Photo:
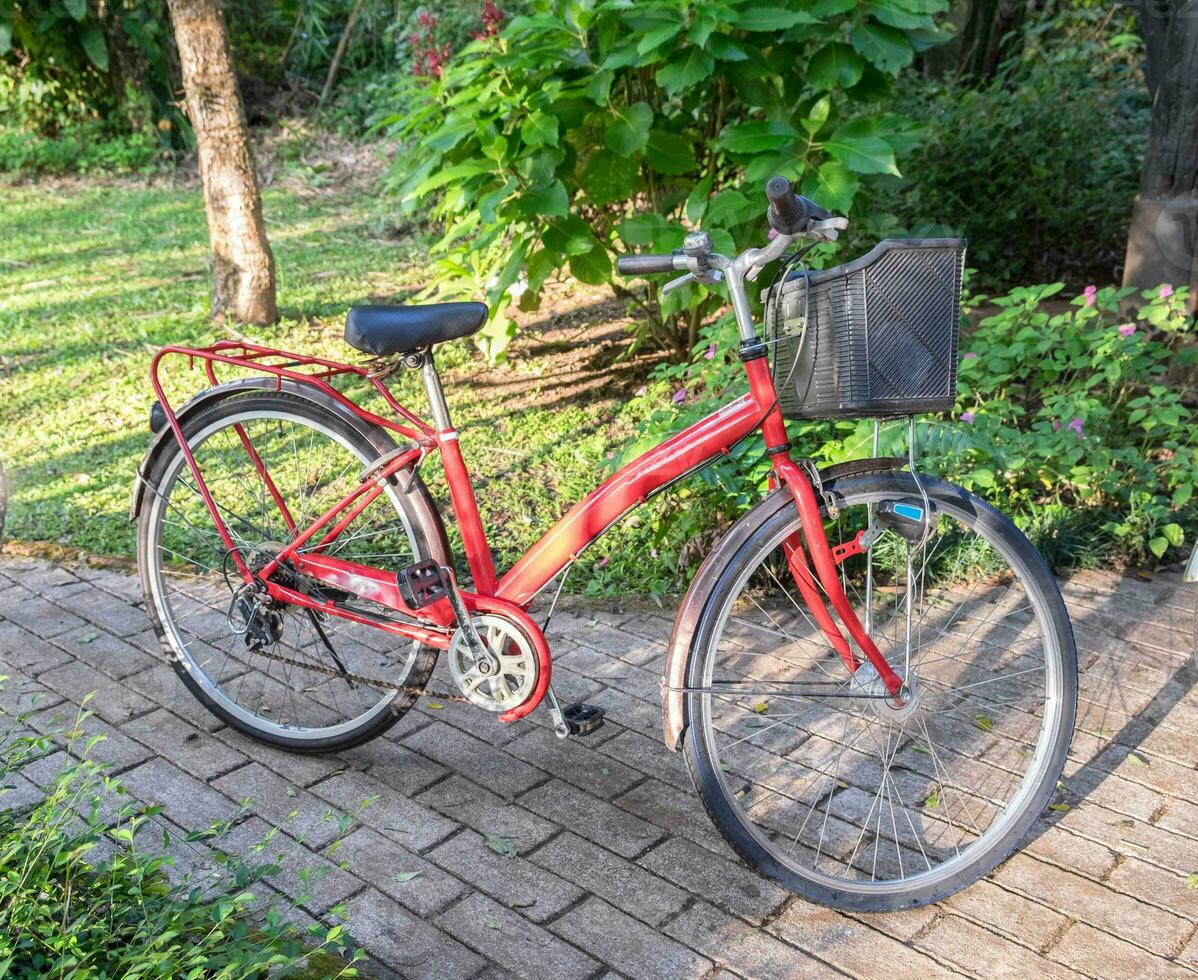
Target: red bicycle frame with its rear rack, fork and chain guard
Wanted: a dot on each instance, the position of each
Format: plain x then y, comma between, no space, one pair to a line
810,559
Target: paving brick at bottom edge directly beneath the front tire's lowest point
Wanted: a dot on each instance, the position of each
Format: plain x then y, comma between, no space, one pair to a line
850,946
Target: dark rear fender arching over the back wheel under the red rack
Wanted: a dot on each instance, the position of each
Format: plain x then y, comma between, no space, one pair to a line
427,512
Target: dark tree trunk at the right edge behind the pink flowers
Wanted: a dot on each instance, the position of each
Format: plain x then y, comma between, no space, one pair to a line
1161,244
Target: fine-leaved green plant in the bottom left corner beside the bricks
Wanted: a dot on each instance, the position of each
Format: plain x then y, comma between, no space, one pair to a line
89,888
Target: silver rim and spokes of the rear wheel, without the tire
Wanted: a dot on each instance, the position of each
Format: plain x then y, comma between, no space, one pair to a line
190,589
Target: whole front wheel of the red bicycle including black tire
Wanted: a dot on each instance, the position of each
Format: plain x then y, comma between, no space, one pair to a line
834,790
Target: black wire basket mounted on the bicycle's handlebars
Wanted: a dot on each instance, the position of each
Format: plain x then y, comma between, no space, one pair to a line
876,337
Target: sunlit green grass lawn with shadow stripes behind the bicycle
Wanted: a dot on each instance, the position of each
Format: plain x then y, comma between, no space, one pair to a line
95,277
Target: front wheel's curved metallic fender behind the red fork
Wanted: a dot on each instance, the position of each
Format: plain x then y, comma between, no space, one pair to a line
674,709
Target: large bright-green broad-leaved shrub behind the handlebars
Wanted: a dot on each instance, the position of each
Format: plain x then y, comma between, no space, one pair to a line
588,130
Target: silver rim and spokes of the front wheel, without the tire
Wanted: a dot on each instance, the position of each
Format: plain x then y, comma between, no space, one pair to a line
821,819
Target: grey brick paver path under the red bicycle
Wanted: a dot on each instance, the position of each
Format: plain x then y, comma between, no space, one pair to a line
619,872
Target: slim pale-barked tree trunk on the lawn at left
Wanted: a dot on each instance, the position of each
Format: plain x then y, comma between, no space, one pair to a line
243,264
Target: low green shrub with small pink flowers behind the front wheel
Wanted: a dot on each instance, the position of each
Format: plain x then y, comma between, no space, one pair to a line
1072,420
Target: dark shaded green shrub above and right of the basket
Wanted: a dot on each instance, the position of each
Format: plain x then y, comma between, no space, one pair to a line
1038,167
